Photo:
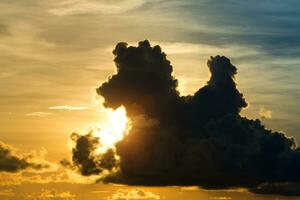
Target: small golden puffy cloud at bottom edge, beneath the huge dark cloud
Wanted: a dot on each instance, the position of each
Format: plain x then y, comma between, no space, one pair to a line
133,194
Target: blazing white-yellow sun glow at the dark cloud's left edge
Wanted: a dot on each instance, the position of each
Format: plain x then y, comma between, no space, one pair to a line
114,130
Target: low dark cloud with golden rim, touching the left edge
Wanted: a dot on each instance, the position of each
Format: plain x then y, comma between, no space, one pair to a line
10,161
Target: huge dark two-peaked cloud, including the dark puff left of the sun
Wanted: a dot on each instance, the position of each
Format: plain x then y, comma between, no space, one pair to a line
199,139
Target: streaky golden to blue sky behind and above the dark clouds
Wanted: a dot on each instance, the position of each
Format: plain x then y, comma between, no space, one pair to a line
55,53
